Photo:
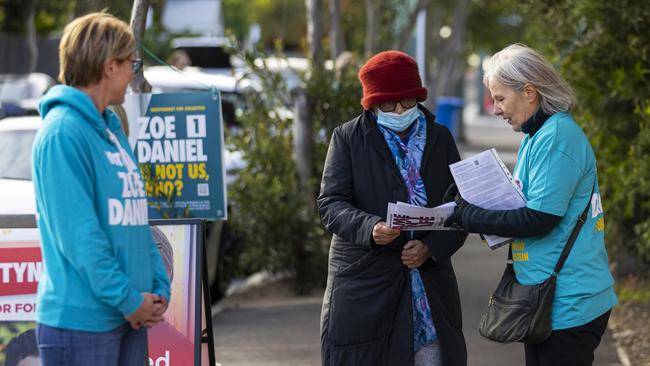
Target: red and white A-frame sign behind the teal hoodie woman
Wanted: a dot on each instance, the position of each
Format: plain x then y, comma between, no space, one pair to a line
174,341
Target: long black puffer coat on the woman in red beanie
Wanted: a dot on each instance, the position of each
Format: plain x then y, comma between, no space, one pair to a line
367,310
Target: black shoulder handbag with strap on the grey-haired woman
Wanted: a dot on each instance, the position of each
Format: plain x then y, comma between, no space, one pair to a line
519,313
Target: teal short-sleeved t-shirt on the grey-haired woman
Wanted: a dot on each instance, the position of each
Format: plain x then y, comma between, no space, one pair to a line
556,170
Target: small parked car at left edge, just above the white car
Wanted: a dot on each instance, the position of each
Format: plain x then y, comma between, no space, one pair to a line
19,93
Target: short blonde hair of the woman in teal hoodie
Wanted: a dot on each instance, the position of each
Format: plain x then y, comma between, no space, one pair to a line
88,42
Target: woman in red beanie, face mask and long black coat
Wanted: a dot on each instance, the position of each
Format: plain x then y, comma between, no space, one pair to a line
391,296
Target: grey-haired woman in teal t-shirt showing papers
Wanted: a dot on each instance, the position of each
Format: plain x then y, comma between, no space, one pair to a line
556,170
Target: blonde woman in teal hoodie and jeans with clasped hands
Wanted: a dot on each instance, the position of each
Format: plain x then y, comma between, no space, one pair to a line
103,281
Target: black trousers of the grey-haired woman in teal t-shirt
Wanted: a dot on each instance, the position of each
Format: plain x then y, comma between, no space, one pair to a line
568,347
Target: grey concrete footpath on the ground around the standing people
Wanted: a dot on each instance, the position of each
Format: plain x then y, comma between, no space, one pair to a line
269,326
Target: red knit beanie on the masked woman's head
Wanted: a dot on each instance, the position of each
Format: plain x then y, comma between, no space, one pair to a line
390,75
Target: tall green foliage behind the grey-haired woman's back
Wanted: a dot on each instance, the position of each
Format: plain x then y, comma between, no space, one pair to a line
603,49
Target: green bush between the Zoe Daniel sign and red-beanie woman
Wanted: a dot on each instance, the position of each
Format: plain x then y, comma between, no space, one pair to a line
276,217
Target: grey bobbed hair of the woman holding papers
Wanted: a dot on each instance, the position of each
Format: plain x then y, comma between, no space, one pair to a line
518,65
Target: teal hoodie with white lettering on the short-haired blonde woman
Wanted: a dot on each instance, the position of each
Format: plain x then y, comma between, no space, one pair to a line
98,251
